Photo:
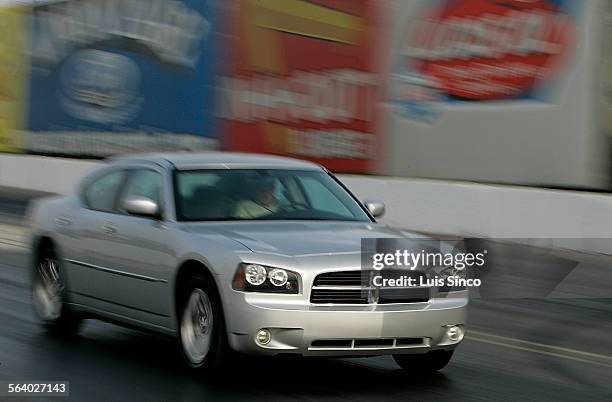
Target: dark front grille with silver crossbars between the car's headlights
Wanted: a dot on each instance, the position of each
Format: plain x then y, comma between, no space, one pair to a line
352,287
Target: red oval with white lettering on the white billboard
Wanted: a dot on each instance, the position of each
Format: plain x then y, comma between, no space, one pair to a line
489,49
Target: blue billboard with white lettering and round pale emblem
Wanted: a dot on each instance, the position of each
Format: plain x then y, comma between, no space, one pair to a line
113,76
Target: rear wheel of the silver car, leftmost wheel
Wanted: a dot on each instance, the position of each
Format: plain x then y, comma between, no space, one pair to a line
49,289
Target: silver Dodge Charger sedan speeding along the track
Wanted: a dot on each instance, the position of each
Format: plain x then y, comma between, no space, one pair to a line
255,254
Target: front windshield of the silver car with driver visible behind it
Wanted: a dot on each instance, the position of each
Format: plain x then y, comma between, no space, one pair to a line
263,194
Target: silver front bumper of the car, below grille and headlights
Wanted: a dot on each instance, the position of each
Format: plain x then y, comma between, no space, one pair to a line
342,330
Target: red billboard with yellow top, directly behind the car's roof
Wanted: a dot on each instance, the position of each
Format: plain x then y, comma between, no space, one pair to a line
302,80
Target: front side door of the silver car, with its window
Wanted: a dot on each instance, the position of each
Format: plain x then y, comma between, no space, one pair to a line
137,251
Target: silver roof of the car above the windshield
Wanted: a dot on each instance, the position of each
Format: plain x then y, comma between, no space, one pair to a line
218,160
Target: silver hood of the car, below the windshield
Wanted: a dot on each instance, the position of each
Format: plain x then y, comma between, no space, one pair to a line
300,238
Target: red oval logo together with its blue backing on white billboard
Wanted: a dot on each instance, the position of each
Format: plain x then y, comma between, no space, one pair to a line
480,50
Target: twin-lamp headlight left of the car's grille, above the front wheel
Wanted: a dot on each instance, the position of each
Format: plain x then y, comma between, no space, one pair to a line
259,278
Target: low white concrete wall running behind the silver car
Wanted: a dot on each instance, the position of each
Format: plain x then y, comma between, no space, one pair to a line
564,219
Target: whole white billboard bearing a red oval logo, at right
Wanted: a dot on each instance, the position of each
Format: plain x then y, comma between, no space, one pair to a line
496,90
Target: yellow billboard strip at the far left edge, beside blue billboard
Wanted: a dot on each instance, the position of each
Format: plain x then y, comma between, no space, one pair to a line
13,76
